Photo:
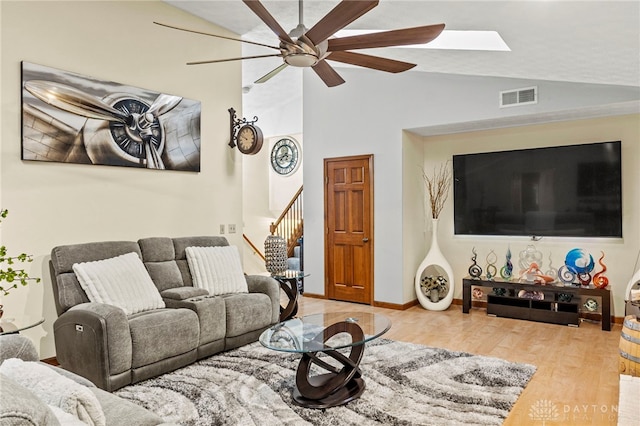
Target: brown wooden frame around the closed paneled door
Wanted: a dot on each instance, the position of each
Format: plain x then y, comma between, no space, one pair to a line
371,244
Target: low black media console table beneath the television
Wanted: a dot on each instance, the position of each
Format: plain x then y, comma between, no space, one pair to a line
552,309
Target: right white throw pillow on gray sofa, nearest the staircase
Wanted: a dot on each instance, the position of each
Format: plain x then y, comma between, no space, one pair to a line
217,269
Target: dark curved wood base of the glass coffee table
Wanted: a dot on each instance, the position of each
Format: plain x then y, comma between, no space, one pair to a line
341,384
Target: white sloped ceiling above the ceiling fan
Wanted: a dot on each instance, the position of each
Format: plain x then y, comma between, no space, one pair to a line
572,41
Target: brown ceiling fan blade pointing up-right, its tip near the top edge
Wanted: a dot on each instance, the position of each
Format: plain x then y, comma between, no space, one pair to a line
342,15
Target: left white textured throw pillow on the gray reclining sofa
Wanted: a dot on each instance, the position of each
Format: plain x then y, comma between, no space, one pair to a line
122,281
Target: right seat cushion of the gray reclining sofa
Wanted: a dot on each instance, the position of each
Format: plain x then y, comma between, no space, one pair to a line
247,312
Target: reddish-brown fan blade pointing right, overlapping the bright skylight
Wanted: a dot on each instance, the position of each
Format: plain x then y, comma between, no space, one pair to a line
407,36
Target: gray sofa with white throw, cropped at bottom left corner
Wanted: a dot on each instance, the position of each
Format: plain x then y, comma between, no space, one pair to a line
21,406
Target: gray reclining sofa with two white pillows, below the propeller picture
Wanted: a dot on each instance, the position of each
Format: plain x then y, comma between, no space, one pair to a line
112,349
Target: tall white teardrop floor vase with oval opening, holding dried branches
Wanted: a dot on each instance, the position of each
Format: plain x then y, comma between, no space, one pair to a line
436,265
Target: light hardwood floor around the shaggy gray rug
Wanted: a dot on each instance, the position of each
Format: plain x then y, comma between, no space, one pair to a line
577,368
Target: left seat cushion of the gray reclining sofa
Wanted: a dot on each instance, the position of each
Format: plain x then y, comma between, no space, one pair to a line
161,334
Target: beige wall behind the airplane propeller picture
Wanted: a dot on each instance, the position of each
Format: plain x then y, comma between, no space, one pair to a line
53,203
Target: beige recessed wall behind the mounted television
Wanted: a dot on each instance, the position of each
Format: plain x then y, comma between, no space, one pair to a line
621,254
